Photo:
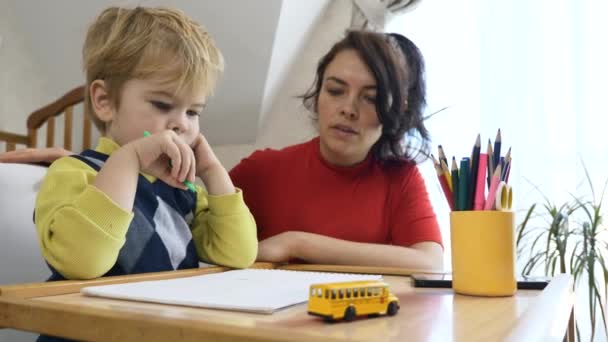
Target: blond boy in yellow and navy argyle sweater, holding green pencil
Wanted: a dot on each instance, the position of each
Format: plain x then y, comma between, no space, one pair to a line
123,208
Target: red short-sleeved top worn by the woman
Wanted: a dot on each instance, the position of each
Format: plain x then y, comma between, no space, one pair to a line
295,189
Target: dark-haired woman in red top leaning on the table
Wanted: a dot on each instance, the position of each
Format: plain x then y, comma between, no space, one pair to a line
352,195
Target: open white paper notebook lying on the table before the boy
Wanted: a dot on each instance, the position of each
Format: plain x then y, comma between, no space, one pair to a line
251,290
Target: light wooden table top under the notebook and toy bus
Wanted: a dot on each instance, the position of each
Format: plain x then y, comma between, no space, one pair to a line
426,314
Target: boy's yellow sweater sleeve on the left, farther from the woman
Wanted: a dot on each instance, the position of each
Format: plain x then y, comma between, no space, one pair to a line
80,229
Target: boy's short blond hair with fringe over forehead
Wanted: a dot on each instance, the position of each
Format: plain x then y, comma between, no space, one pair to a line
142,43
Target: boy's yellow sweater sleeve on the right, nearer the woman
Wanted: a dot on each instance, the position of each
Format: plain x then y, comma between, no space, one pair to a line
224,230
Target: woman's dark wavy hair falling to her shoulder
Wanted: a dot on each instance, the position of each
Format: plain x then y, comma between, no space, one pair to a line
398,67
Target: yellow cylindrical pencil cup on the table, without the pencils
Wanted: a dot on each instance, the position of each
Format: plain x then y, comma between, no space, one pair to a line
483,252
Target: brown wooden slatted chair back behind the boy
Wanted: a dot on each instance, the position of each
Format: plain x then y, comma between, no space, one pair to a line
47,114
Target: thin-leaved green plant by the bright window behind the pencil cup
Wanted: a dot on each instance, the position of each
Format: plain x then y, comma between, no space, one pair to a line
569,238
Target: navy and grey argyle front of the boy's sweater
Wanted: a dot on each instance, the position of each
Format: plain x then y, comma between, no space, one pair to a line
159,237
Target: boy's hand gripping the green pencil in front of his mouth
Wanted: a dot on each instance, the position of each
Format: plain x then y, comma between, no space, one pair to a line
164,155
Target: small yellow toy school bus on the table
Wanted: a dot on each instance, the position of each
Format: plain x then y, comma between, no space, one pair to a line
346,300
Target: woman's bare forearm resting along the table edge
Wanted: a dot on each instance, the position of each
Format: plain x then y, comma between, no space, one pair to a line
320,249
